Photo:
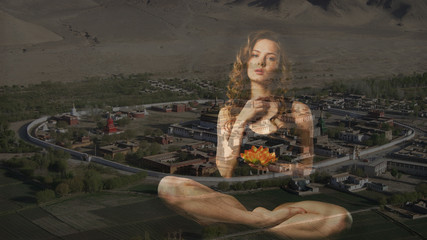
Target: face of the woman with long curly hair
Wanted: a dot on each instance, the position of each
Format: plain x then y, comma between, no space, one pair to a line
263,65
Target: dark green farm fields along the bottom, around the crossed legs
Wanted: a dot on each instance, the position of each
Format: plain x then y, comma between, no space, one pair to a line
137,213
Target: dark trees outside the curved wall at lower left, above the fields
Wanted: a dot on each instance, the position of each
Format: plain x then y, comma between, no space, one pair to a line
51,170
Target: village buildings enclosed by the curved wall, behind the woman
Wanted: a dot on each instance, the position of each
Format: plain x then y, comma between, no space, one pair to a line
189,147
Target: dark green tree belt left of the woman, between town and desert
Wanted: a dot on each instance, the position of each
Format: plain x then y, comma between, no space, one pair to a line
48,98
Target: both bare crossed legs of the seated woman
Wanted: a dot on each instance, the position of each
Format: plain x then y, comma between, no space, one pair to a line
305,219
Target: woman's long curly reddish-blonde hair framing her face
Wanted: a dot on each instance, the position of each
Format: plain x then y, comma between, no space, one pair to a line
238,89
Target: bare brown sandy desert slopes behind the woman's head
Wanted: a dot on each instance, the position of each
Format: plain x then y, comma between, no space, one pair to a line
62,40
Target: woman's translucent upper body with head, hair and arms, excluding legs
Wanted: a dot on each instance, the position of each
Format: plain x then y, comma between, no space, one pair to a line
257,79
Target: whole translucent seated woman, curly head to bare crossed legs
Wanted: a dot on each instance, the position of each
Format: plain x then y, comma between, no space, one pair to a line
258,73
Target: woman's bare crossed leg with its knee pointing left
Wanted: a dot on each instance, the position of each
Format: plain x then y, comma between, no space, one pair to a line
204,205
